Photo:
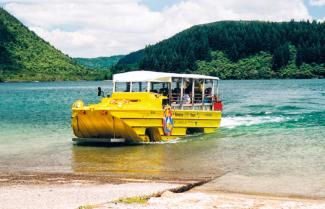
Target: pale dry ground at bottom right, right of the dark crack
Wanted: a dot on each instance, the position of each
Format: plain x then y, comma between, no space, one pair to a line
219,200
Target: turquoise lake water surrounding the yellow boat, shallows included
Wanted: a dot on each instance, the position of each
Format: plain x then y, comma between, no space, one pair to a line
272,137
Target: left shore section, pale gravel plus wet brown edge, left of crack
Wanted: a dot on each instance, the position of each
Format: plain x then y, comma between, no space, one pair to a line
66,190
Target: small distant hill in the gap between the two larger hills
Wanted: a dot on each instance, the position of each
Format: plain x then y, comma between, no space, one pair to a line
99,62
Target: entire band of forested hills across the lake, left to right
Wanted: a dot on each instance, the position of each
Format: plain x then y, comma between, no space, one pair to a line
228,49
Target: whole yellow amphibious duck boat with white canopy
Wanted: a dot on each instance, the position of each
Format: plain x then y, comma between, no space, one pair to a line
148,106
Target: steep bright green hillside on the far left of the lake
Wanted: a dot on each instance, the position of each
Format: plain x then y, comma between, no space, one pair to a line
26,57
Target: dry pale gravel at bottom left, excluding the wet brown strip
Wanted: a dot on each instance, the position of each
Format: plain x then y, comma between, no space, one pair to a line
73,195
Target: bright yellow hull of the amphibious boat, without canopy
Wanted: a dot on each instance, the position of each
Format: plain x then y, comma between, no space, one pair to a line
137,123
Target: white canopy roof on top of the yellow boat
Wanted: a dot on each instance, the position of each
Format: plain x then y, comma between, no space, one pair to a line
151,76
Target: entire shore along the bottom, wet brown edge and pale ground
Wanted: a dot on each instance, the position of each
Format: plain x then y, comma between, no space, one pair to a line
53,190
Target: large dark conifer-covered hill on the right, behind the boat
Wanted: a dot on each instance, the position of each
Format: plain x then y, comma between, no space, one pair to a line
238,50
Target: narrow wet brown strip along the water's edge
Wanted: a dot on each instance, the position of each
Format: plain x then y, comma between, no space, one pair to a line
206,184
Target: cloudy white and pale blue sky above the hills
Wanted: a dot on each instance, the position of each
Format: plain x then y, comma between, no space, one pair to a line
93,28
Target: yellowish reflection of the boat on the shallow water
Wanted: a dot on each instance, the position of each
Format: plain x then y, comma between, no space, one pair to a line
170,160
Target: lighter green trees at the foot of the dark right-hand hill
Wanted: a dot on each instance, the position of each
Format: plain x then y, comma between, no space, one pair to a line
258,67
